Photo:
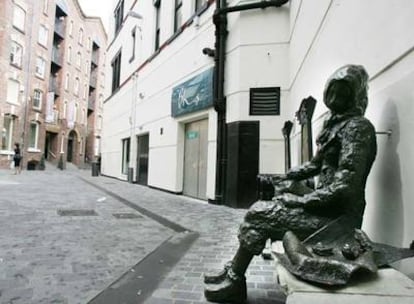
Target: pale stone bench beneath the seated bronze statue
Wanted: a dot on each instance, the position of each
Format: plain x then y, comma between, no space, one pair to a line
388,286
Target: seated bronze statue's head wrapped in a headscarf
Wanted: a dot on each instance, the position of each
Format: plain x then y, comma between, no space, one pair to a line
347,90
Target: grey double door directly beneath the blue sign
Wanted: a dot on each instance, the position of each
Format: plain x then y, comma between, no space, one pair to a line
195,159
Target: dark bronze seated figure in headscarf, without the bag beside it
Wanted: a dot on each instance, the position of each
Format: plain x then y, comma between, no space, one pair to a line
346,151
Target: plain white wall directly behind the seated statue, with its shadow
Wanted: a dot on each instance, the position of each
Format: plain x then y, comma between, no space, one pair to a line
378,34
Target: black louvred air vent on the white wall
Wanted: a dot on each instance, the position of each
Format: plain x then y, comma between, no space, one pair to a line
265,101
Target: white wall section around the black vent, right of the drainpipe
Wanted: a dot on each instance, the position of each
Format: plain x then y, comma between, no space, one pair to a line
259,60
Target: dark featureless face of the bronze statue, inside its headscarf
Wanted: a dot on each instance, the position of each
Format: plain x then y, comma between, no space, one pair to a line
339,96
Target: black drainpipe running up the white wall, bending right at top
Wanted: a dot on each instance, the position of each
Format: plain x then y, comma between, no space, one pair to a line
221,33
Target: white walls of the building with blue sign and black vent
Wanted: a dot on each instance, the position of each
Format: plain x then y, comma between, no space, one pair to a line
177,62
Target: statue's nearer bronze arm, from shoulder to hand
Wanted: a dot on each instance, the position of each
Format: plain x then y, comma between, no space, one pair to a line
358,148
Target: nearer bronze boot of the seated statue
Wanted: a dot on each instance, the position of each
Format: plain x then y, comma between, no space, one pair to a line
230,290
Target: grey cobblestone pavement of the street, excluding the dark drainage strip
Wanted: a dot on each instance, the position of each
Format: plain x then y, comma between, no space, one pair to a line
47,256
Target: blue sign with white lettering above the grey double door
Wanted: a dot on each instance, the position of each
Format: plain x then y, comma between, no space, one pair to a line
193,95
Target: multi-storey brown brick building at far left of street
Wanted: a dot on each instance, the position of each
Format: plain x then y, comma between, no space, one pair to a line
51,63
